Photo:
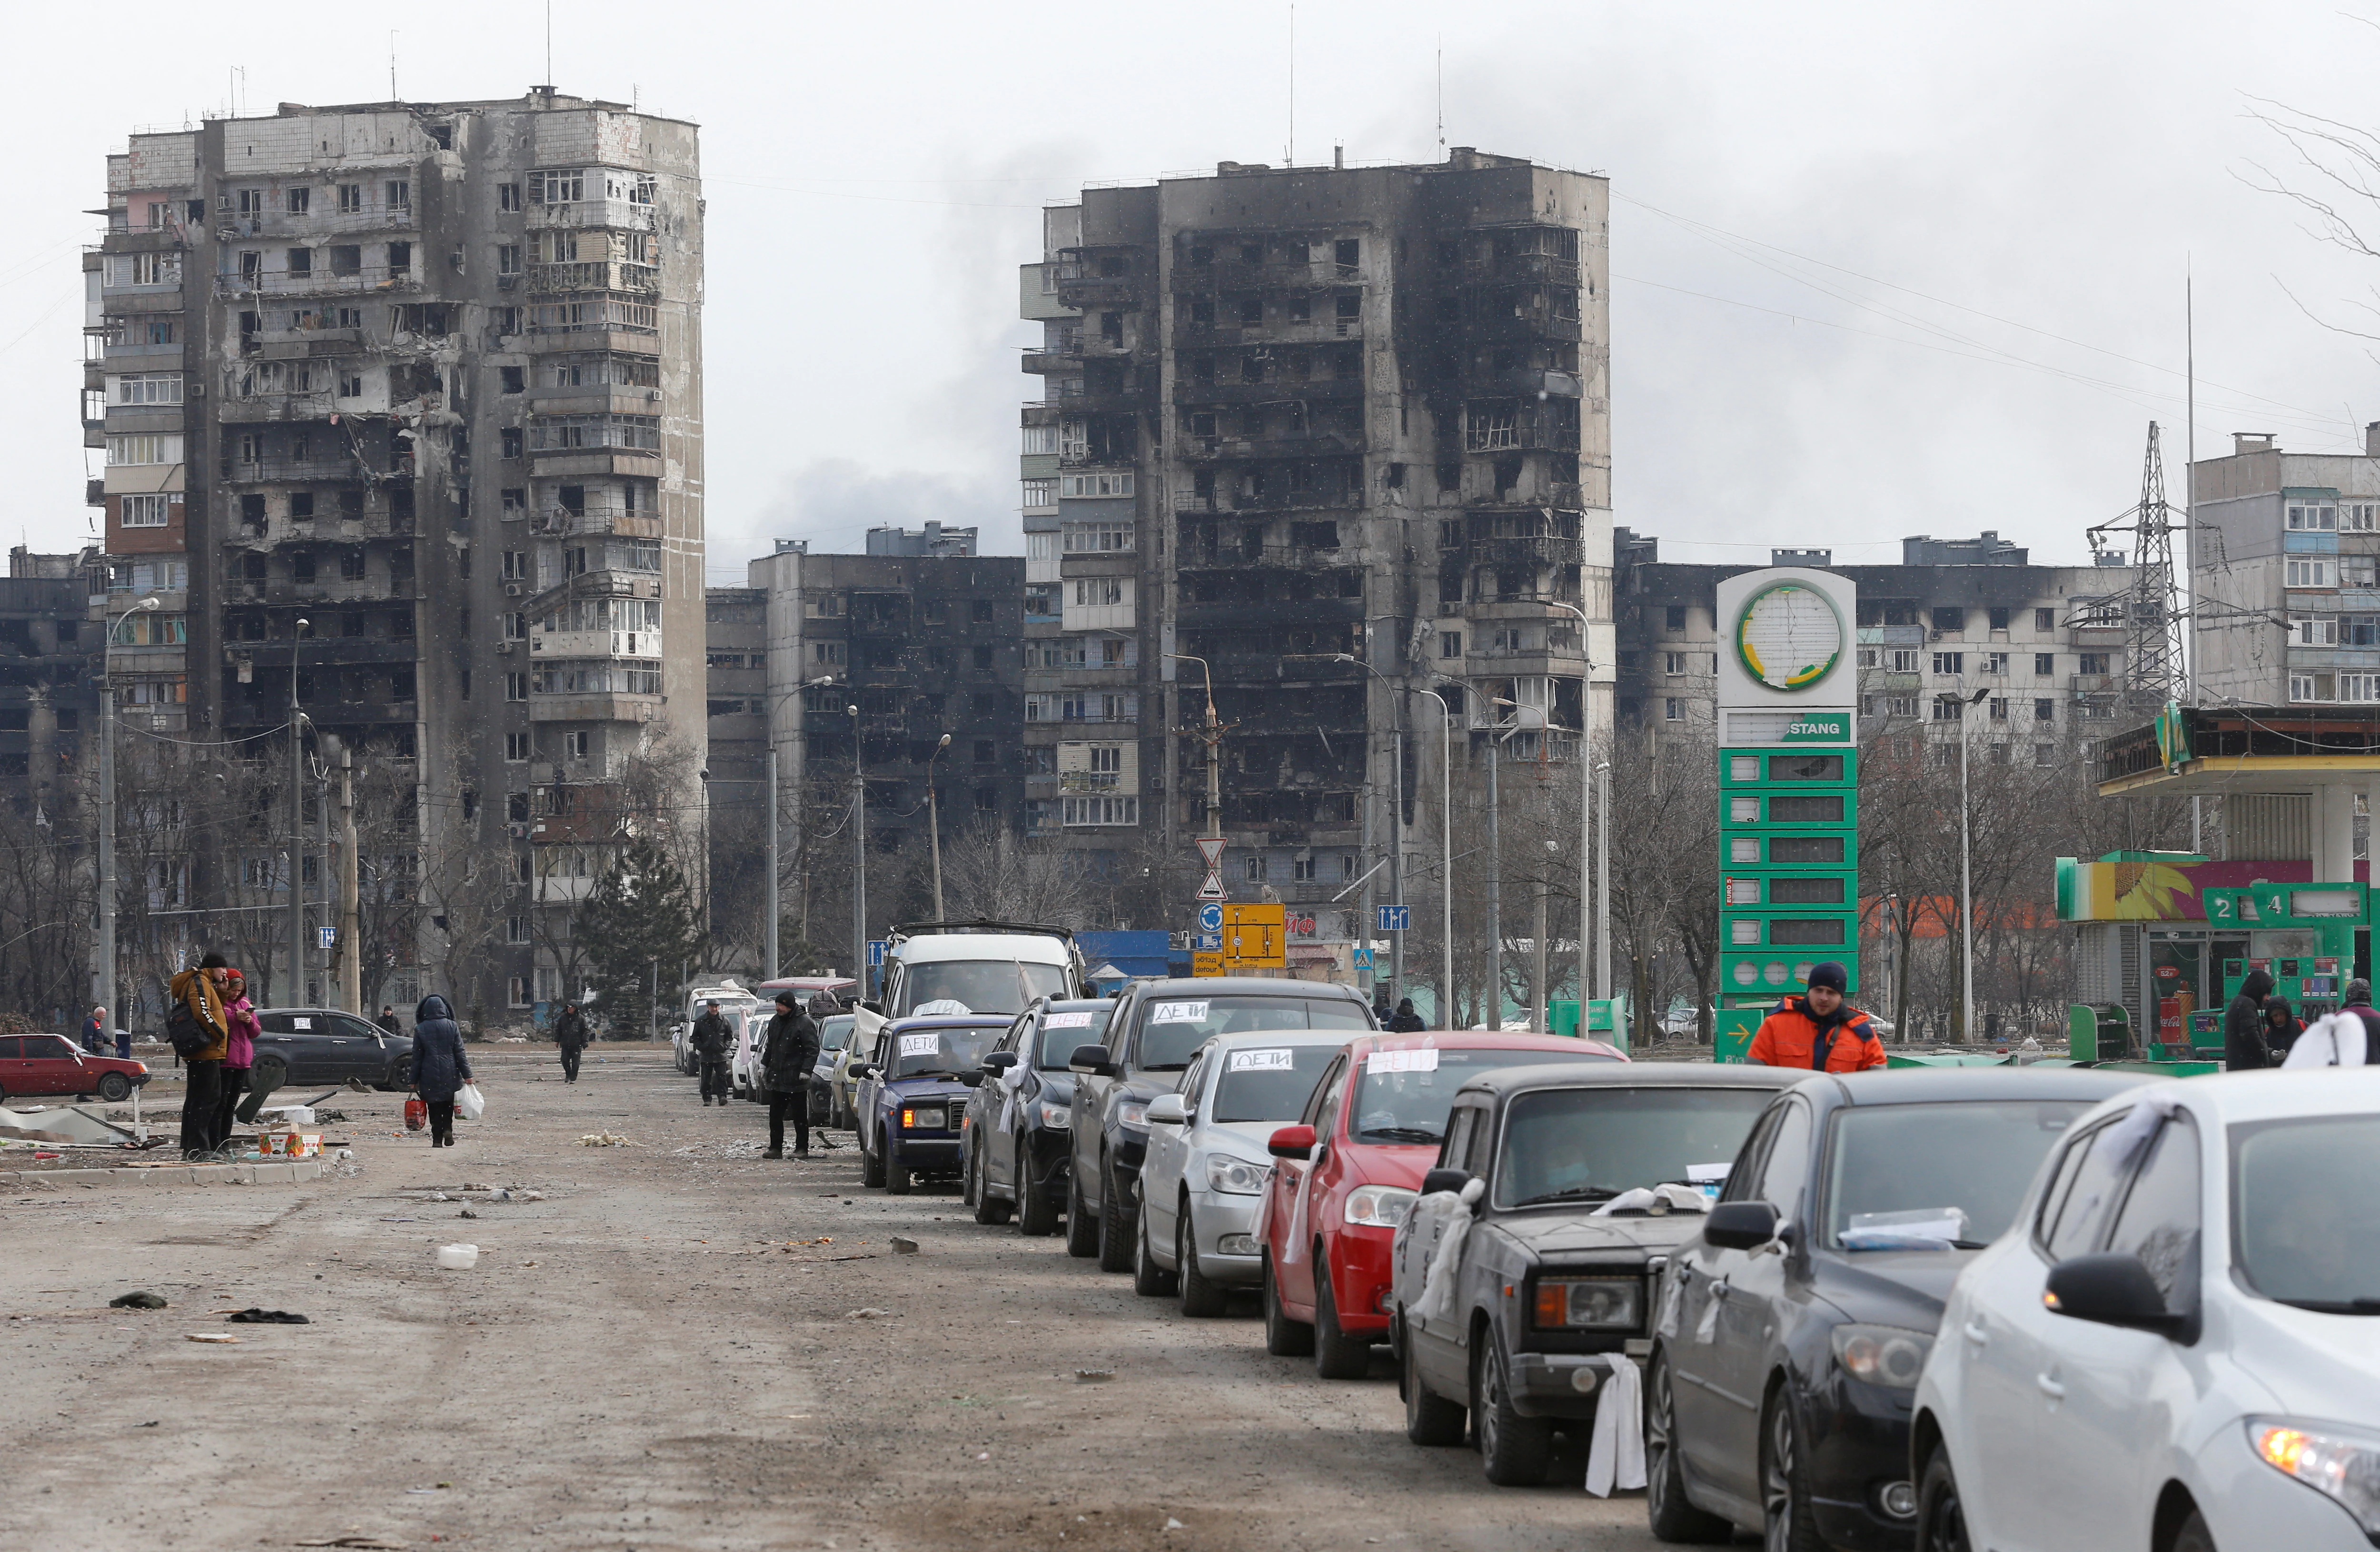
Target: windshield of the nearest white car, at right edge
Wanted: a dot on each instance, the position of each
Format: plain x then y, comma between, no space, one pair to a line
2298,1241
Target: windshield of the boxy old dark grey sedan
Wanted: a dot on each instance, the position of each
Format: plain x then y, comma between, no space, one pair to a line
1593,1144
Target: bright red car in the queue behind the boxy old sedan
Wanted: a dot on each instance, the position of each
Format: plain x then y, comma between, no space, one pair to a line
1348,1175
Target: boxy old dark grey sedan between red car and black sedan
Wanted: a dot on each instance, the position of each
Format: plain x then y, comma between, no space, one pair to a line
1546,1296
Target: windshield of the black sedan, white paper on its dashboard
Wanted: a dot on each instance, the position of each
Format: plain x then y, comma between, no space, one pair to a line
1936,1177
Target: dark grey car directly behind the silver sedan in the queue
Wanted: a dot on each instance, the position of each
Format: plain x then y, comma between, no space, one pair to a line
1148,1044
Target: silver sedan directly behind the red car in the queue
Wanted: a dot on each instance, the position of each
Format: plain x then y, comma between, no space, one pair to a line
1203,1179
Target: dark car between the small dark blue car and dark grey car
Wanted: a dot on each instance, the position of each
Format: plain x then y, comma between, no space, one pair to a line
1015,1137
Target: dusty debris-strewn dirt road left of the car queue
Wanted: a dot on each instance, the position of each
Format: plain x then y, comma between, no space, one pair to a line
663,1353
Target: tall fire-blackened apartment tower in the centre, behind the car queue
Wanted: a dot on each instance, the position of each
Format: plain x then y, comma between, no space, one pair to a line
1329,437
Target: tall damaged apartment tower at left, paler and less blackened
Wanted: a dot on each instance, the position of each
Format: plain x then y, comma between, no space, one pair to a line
406,399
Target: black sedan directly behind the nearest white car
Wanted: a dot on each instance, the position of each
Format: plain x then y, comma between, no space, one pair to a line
1796,1325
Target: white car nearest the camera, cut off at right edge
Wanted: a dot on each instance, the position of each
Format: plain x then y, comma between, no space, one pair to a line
2177,1346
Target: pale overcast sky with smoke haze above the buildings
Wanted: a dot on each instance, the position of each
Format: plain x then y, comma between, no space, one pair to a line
1879,270
